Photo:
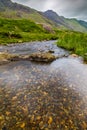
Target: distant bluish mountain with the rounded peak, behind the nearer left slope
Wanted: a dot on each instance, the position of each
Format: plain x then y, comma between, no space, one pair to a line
72,24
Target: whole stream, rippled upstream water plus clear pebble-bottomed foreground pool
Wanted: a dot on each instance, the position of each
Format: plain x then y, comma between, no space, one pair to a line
40,96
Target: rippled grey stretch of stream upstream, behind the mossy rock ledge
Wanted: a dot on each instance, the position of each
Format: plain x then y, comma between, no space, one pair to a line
28,48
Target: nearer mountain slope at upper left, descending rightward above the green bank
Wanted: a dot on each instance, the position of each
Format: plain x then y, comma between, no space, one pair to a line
8,9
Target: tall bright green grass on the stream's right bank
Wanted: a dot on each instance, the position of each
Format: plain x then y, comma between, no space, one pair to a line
75,42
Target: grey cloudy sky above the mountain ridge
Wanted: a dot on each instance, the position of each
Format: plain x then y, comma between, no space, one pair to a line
67,8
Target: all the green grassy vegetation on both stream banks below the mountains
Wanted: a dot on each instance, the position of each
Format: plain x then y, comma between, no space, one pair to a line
17,31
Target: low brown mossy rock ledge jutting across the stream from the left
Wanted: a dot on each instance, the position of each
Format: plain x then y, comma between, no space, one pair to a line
40,57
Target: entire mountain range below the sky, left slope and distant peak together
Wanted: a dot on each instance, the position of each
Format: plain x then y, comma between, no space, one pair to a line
11,10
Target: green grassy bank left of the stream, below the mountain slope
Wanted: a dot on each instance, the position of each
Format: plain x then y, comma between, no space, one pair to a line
12,31
